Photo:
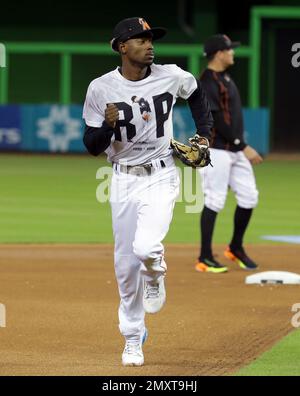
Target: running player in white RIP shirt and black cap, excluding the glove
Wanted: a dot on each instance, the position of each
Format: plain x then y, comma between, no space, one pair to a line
145,182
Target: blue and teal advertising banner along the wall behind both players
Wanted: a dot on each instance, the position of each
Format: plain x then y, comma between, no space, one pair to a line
59,129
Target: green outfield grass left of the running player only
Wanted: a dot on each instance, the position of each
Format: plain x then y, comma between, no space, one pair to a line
51,199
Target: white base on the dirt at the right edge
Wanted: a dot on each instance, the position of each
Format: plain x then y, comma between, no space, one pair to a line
273,277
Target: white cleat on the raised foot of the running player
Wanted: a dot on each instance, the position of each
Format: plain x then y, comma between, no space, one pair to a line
154,295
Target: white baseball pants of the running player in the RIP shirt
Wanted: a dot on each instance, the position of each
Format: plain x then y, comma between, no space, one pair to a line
142,209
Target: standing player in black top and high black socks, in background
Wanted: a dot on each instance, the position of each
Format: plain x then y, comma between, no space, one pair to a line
231,158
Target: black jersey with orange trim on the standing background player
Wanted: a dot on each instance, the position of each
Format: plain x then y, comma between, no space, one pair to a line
226,108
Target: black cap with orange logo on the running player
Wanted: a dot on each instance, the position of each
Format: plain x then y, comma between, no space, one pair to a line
132,28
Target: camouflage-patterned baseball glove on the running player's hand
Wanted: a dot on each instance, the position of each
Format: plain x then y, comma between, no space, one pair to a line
196,155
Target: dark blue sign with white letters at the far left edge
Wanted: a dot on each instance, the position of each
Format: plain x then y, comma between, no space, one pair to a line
10,128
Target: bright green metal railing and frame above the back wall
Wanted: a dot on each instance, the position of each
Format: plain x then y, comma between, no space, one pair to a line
191,52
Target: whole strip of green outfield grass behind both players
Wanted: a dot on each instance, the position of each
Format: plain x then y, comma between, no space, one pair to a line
53,199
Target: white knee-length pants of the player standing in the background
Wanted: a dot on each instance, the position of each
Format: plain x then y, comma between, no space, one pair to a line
229,170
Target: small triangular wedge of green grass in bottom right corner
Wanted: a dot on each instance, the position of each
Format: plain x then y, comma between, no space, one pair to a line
281,360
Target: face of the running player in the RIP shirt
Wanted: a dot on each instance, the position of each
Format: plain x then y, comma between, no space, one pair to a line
140,50
